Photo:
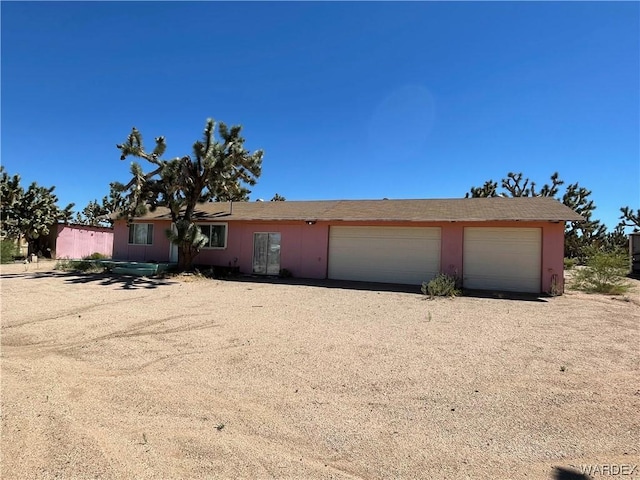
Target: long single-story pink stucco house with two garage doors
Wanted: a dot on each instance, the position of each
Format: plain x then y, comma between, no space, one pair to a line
511,244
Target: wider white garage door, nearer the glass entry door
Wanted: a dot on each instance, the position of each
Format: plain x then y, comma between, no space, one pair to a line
409,255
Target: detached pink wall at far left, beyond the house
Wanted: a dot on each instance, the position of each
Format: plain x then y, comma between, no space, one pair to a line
78,241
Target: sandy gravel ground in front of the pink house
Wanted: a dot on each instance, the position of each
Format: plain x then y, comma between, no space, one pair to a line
109,377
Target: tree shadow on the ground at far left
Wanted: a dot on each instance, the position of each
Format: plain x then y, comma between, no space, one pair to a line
125,282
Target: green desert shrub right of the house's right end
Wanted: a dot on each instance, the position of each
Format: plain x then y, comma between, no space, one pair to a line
604,272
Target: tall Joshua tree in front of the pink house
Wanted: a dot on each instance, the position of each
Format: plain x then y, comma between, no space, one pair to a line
217,171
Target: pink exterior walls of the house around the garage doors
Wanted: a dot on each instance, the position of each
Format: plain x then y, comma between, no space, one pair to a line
304,248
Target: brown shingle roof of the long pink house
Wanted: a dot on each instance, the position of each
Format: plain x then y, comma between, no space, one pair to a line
447,210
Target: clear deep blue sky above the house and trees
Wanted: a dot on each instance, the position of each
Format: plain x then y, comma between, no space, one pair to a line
348,100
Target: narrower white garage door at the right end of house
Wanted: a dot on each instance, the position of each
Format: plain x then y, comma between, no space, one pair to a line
502,259
